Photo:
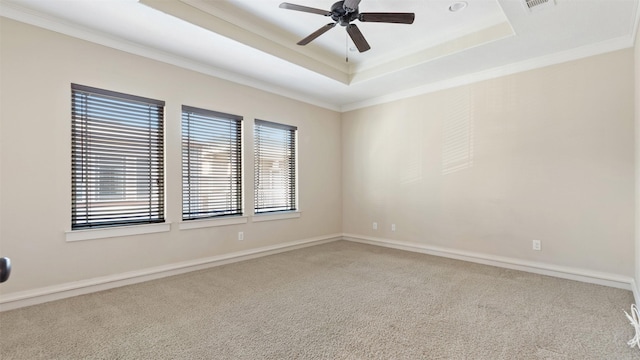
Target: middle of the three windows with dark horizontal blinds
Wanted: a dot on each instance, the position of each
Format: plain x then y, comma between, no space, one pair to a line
211,164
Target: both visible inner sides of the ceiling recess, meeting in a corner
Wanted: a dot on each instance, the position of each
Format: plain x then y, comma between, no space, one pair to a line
267,39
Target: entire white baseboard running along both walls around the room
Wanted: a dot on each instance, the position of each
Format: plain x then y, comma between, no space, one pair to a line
56,292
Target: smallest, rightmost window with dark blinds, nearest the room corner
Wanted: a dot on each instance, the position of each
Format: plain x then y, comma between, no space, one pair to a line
275,167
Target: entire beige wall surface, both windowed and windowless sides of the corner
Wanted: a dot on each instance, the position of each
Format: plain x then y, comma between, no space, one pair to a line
546,154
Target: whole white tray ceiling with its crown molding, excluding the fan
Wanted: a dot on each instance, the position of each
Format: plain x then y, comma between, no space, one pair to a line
253,41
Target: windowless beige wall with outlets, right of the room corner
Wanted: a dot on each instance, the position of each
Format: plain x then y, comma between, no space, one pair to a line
547,154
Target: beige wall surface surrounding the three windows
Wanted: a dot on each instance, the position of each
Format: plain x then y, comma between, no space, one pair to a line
37,67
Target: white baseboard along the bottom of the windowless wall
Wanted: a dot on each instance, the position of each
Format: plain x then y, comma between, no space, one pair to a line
583,275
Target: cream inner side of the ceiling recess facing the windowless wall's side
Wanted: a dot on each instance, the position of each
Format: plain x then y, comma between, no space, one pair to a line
484,36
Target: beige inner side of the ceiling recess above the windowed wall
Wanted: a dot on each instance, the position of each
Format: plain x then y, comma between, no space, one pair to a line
206,20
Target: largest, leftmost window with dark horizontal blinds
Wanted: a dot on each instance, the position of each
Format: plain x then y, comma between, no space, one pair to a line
117,159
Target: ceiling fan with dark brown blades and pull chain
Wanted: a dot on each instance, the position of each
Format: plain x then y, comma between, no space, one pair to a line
343,13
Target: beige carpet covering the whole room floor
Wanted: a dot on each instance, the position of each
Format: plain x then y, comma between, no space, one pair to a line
335,301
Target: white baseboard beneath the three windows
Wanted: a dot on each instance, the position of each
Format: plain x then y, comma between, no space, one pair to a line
56,292
